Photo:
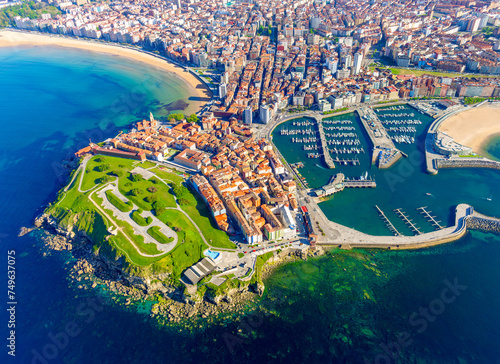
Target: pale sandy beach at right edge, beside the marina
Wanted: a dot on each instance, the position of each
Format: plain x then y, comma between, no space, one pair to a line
474,128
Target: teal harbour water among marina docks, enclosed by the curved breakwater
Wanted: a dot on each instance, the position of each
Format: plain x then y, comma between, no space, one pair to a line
348,205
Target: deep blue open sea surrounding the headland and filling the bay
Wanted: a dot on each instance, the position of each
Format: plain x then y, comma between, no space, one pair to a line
438,305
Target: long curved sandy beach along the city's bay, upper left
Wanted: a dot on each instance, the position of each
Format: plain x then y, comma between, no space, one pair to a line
196,88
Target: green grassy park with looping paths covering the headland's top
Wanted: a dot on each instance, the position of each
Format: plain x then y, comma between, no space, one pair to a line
115,238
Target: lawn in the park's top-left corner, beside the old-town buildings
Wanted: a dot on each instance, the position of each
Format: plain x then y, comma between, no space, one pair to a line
92,175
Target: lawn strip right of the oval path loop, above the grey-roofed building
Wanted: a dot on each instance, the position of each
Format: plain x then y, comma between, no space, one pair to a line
190,246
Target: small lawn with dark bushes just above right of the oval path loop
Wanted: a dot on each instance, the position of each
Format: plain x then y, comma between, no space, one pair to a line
125,185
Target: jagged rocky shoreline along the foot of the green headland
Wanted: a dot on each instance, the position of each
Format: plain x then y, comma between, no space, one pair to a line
173,305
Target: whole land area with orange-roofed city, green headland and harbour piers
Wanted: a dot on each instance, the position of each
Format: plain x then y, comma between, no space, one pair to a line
194,207
